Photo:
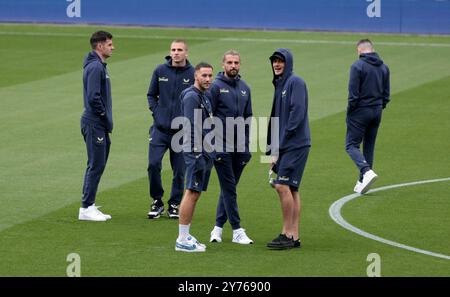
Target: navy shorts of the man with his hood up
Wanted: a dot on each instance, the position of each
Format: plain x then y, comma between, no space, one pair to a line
290,167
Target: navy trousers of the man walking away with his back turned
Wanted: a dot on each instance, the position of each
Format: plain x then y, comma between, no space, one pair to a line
362,127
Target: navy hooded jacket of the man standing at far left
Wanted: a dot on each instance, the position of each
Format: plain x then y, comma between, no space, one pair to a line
96,93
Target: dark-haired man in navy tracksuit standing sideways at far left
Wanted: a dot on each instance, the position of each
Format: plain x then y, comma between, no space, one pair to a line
96,121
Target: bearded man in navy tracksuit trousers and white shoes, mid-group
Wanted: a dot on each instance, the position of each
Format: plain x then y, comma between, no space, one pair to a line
231,99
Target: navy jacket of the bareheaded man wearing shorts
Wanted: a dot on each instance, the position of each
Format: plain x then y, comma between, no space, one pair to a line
196,108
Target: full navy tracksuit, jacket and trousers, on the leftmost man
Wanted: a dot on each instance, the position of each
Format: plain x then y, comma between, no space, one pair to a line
96,123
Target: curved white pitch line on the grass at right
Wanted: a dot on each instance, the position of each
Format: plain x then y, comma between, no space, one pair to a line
335,214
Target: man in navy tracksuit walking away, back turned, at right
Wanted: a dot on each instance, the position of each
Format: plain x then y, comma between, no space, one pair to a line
369,90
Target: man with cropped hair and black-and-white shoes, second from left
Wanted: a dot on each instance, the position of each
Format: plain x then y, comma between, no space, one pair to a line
167,83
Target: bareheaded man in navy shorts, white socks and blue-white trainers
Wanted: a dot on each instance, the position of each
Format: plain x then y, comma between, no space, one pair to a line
198,156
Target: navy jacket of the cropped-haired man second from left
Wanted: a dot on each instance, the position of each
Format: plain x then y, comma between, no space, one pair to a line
163,95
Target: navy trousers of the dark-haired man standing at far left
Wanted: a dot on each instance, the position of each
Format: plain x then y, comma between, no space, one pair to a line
98,144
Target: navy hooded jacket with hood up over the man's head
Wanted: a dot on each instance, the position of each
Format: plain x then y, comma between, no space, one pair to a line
290,105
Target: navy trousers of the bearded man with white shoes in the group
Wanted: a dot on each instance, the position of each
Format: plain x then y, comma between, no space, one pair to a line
229,167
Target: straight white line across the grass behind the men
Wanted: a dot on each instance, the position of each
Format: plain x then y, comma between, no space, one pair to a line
230,39
